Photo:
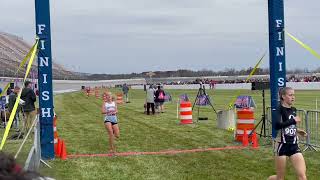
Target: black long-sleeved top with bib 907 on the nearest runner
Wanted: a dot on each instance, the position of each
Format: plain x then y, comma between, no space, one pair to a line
287,125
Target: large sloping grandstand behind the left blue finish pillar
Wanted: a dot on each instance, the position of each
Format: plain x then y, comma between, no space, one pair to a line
12,51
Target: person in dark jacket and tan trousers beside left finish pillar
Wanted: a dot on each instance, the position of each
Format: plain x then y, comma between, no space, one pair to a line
29,98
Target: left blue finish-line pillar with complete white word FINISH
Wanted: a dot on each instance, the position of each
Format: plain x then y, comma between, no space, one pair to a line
42,8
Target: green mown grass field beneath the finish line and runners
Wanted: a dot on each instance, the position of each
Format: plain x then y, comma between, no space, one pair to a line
80,124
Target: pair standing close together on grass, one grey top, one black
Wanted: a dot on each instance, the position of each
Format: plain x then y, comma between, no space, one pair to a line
154,100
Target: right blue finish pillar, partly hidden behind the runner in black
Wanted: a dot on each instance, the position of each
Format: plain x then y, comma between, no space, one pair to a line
277,54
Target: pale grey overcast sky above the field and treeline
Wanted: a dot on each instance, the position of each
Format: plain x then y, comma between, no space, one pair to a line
124,36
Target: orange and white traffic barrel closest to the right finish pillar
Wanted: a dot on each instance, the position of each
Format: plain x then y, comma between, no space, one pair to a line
245,121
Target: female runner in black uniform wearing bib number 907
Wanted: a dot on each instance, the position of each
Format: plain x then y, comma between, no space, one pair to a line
286,143
